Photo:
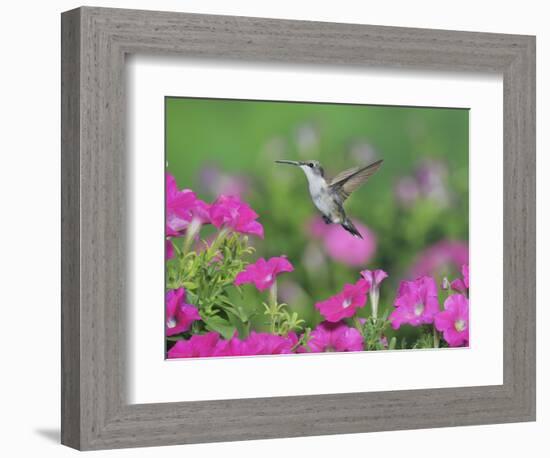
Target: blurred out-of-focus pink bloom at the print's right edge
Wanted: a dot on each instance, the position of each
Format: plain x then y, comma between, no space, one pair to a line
440,257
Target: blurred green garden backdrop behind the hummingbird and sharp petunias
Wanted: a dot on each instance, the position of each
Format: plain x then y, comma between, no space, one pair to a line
415,207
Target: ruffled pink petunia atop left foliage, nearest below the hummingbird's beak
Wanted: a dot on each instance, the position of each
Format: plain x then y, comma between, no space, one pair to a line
231,212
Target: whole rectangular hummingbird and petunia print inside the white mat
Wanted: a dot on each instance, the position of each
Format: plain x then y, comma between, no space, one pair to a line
300,227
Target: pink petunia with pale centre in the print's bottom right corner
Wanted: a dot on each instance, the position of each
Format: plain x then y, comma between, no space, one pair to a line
453,322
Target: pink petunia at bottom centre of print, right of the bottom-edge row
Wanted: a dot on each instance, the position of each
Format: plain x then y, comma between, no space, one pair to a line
335,337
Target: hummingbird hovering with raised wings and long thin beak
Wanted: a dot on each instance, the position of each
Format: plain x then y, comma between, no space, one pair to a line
328,195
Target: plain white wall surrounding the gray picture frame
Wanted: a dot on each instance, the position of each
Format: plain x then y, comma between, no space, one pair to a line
29,232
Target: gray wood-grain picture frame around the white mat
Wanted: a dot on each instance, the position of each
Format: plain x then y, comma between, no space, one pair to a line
95,412
